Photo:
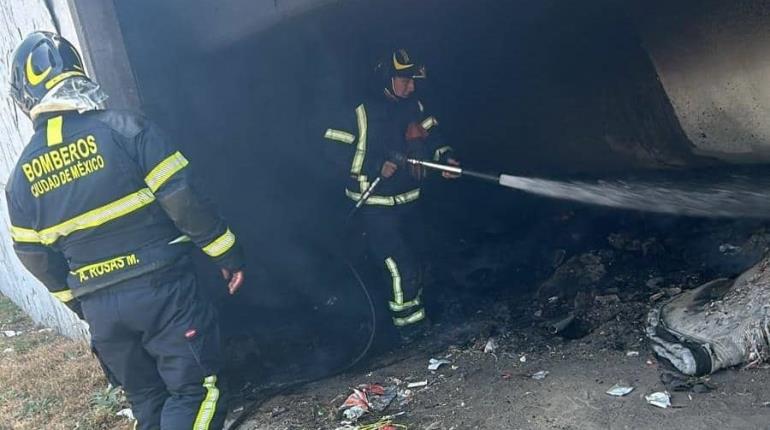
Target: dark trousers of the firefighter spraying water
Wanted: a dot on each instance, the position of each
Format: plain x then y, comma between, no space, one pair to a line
392,235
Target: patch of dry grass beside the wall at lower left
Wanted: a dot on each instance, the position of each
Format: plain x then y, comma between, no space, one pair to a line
50,382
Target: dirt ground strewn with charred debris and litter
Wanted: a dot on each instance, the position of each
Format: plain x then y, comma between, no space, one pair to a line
609,284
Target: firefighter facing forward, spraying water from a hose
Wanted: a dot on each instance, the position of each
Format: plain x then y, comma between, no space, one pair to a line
387,127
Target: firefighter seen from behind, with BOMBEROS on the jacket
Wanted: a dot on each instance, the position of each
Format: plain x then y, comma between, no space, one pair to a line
102,213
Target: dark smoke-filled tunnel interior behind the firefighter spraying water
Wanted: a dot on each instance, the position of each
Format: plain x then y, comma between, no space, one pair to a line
525,87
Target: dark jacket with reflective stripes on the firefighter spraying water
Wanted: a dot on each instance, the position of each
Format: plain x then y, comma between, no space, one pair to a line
376,132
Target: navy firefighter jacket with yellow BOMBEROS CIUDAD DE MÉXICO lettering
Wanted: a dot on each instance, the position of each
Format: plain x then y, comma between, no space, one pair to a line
103,197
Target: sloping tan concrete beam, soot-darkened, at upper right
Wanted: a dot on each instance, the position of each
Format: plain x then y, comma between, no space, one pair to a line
713,58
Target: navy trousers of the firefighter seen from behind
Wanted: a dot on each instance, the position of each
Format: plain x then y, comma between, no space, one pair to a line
160,339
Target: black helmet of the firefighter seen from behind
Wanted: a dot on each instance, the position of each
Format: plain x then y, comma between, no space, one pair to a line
42,60
